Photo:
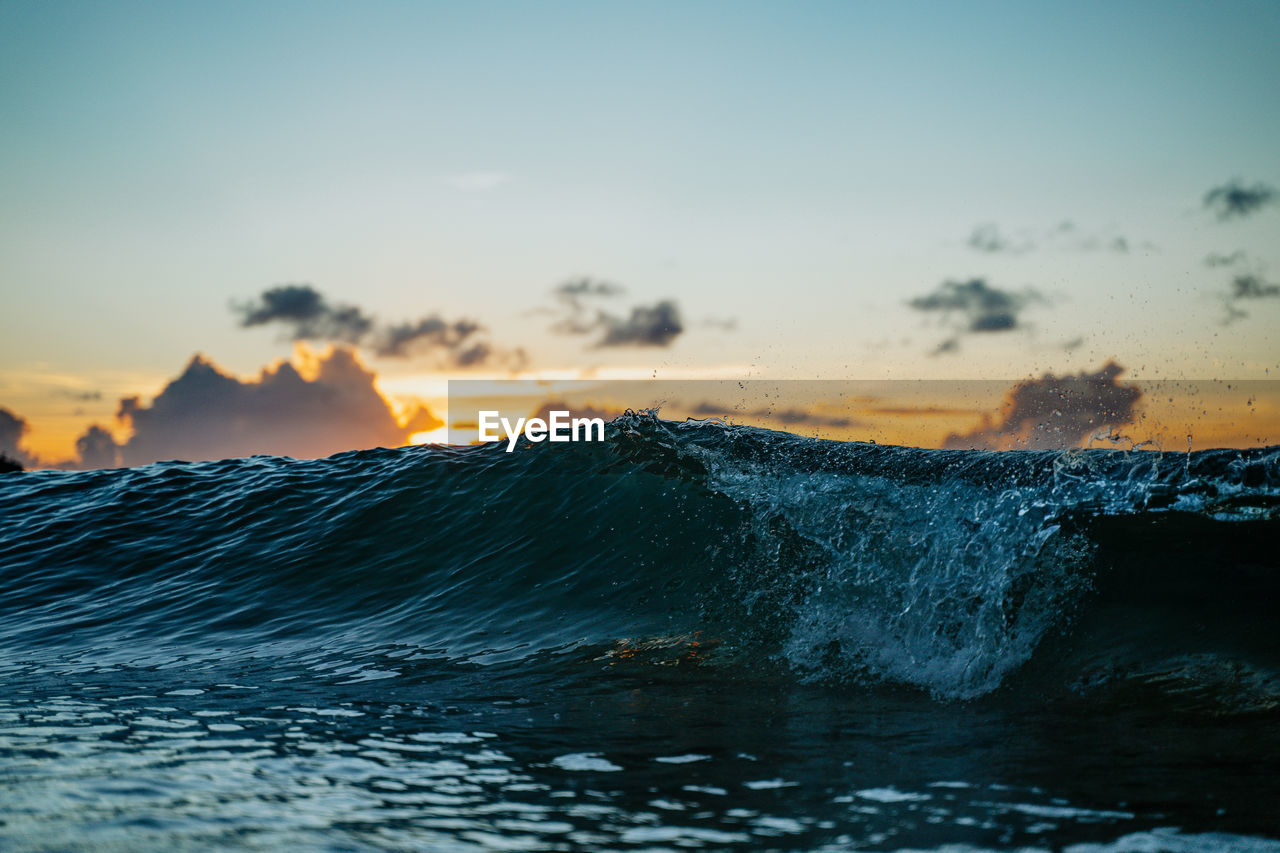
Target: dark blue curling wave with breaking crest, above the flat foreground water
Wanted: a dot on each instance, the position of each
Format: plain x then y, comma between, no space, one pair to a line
863,564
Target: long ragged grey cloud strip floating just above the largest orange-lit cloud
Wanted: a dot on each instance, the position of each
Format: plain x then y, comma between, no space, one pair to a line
310,317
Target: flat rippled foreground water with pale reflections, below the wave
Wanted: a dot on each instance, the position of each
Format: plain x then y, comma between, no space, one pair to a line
286,760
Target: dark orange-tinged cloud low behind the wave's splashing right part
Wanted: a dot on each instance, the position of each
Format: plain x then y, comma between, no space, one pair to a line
1055,413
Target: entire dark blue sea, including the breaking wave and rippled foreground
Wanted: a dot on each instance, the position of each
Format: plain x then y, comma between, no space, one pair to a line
688,637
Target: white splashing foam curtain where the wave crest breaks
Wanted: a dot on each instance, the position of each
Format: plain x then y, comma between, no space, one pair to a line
926,605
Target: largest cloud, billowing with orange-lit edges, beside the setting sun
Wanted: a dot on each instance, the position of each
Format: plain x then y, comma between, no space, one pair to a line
208,414
